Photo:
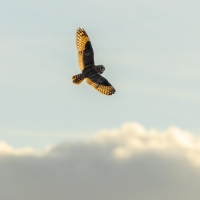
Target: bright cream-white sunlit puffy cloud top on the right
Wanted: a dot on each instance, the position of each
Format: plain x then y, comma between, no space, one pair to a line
132,138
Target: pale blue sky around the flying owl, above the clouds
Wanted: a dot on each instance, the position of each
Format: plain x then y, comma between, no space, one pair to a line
150,50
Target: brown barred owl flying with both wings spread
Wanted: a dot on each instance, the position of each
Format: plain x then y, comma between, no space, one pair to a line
90,72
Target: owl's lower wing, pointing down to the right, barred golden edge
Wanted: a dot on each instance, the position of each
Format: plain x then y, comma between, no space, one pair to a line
101,84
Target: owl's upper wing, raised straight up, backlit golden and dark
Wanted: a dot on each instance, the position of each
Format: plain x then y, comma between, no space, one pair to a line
84,48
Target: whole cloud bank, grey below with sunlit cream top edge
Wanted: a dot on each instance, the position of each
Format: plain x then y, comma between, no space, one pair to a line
126,163
